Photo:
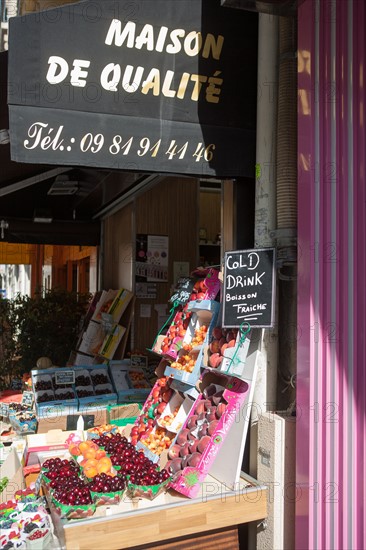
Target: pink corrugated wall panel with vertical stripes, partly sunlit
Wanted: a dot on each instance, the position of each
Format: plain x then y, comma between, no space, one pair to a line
331,442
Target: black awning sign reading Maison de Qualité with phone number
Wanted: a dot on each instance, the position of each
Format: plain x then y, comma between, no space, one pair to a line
161,86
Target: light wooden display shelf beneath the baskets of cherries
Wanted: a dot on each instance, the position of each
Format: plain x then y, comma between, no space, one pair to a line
170,516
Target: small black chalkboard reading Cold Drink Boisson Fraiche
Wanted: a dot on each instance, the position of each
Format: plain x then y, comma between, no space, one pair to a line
249,277
